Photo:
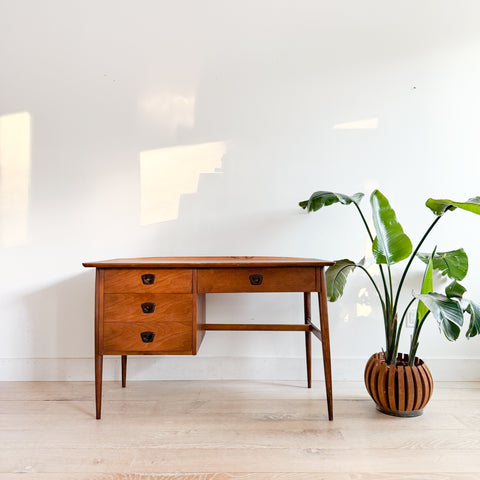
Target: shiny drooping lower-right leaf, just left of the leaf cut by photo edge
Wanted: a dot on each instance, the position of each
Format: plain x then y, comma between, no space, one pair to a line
447,312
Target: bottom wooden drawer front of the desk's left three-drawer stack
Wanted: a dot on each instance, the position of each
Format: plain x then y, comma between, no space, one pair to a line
150,337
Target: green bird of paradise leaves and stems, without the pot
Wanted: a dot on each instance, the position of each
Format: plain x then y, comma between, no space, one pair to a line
390,245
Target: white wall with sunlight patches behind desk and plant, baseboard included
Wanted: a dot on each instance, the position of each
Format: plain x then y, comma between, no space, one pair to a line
159,128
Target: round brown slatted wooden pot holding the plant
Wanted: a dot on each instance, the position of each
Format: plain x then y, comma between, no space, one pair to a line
398,389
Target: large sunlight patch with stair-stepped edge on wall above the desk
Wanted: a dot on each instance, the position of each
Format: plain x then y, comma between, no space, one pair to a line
168,173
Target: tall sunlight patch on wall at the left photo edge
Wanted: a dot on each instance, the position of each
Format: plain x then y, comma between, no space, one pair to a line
15,145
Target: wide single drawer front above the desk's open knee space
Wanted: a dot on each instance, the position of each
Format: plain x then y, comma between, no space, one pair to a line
288,279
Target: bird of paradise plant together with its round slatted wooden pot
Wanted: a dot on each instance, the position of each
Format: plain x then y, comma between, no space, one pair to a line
401,384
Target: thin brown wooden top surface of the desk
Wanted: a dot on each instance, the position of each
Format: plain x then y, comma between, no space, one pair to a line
208,262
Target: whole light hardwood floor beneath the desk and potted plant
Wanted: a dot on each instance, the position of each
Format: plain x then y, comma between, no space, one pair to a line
224,430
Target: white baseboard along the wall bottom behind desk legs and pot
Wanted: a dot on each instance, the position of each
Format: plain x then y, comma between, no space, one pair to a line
213,368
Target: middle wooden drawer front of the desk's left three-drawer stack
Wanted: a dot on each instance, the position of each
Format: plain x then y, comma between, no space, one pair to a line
137,307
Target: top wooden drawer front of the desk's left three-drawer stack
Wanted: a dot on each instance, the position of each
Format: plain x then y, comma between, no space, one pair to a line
142,280
